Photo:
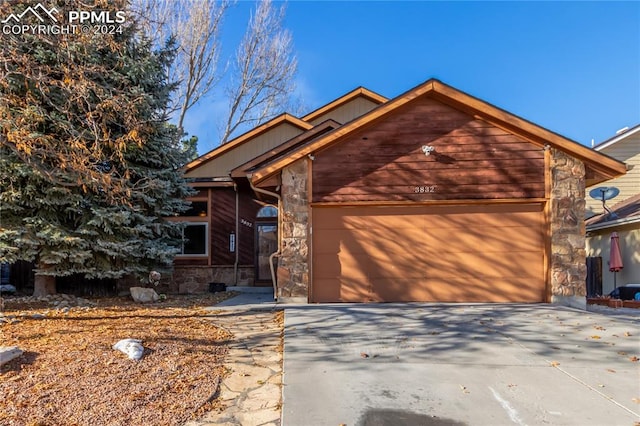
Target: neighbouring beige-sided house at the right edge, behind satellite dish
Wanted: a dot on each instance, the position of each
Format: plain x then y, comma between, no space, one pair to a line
624,218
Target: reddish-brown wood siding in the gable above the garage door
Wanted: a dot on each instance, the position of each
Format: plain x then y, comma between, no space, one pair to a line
385,161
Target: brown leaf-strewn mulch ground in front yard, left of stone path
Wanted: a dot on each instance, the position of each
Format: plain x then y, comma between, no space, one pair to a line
70,375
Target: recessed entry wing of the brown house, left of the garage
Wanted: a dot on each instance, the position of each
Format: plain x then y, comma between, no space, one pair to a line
232,227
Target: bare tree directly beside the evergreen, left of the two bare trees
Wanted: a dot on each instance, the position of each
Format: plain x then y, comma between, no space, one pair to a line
195,25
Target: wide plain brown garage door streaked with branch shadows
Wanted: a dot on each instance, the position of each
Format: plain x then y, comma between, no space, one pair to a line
462,253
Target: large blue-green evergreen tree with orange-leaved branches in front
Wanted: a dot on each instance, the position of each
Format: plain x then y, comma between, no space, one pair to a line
89,167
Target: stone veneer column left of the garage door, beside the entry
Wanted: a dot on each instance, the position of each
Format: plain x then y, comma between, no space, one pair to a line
293,264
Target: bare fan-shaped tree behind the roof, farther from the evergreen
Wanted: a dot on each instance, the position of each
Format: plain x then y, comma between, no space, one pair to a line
263,71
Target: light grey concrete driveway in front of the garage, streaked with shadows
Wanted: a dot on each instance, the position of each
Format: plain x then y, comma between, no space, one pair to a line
435,364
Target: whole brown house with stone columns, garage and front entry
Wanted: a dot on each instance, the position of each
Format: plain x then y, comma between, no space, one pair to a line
431,196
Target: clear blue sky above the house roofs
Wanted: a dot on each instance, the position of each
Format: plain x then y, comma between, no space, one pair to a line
570,67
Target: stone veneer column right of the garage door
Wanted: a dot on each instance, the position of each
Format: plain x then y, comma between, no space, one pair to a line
567,210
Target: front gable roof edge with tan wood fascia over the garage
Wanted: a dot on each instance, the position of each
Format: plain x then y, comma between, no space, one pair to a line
599,166
